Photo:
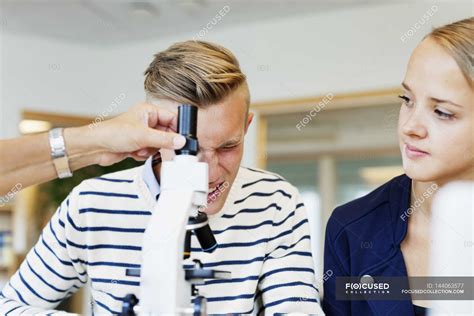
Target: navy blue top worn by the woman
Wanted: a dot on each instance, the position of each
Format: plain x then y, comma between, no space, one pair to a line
363,237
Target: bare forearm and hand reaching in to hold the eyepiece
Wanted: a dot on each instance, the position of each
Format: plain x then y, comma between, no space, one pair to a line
138,133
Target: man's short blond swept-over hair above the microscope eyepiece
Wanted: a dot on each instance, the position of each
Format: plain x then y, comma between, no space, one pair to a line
193,72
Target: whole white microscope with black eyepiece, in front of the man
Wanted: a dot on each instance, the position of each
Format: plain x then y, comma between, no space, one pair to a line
165,287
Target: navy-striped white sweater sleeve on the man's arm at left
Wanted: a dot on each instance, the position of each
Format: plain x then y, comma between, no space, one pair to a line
50,272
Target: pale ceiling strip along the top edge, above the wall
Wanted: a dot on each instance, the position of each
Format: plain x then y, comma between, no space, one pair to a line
111,22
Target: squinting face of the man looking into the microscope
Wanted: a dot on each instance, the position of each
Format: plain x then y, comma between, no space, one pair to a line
221,129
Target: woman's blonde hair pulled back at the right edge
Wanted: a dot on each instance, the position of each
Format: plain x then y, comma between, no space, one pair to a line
458,40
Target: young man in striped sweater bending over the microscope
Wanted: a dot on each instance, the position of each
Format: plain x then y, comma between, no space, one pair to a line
257,217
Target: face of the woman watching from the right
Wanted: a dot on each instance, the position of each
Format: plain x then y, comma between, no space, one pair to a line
436,122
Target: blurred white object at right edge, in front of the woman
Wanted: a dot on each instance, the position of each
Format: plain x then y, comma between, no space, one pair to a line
452,249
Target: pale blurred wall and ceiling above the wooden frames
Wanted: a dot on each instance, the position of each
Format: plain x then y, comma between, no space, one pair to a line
77,56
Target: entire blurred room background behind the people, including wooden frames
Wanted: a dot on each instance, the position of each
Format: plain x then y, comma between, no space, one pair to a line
74,58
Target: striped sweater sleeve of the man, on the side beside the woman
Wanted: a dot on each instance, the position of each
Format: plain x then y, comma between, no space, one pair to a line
287,283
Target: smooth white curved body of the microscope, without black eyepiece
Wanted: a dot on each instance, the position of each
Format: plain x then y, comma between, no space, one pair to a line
163,288
